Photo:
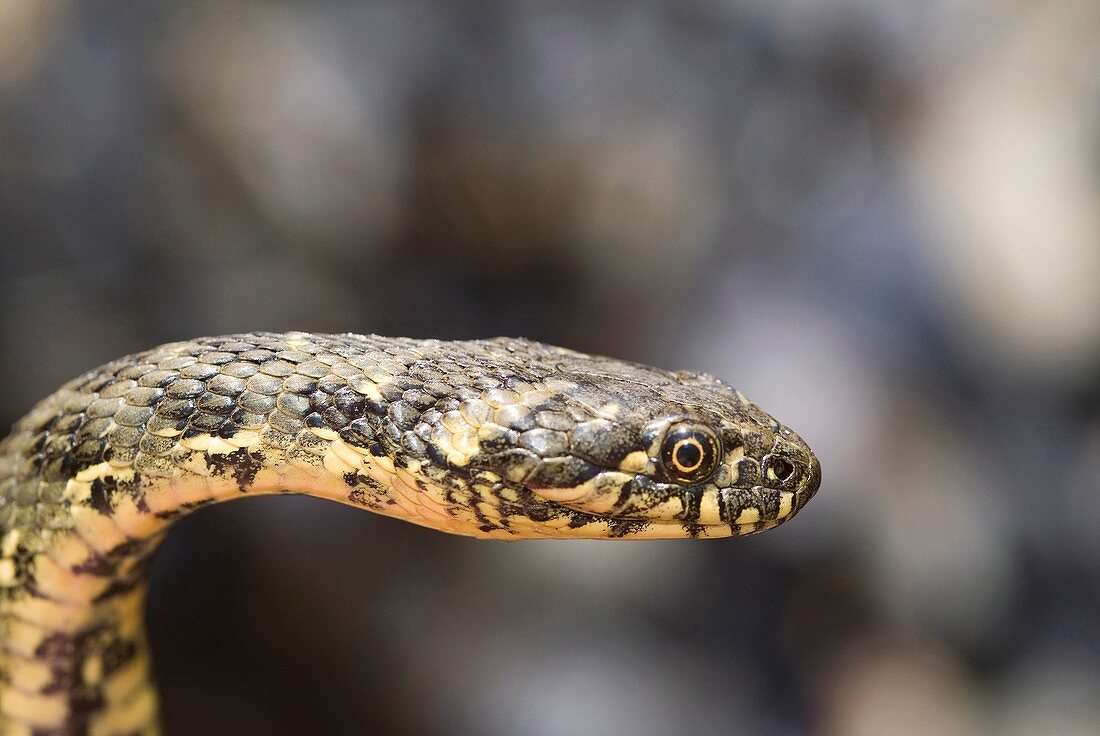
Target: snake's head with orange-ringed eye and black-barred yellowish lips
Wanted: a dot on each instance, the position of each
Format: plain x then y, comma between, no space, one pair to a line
644,453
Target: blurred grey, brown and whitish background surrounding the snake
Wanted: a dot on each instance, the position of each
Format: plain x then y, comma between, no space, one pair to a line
881,219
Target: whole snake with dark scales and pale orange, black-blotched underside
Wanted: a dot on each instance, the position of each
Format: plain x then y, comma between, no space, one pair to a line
504,438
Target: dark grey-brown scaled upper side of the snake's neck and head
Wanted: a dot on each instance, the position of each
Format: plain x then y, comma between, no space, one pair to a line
525,411
